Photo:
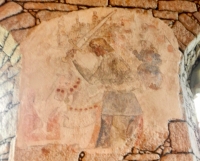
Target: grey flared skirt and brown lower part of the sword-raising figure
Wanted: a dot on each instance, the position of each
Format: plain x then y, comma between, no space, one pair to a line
119,118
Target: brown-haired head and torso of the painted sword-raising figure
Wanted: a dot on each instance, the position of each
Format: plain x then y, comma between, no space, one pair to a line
112,69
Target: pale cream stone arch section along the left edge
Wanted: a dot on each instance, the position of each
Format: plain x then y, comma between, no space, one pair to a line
9,78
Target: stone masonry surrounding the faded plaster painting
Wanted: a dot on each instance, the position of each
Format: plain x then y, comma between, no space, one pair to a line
21,16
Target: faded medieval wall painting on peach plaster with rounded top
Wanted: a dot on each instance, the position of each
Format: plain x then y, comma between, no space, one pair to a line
99,81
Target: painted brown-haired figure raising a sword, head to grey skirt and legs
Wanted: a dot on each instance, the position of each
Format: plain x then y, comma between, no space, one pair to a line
120,107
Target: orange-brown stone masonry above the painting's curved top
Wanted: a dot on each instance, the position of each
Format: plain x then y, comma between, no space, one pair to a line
21,16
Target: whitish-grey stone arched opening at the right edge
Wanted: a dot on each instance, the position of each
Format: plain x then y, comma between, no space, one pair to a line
189,61
